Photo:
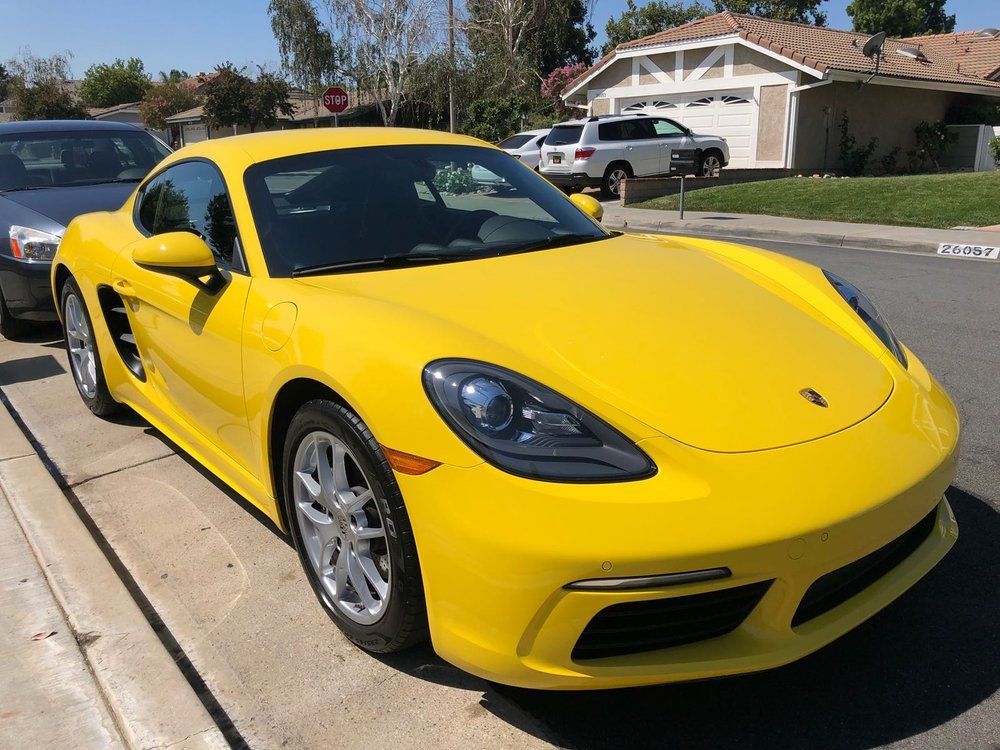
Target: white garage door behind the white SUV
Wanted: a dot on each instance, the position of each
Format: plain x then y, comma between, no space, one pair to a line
730,114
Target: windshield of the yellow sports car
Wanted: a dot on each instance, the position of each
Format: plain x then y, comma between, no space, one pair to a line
405,202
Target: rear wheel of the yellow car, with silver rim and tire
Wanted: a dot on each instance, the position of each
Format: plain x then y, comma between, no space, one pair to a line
84,359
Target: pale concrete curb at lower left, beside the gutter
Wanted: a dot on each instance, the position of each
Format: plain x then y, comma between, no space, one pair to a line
152,703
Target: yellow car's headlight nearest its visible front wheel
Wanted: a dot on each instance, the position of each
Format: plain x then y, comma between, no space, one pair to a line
524,428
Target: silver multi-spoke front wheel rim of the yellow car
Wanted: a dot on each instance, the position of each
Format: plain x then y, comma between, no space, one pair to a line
342,527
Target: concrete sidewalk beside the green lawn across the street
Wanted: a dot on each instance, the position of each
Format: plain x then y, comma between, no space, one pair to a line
753,226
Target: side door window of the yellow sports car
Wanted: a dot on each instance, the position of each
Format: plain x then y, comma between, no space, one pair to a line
191,197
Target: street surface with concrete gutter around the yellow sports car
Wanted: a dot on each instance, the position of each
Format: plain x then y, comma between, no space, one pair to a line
923,673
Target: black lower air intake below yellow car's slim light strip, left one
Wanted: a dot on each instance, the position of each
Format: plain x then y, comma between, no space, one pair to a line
634,627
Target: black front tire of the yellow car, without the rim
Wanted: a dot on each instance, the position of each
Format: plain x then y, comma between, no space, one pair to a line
403,624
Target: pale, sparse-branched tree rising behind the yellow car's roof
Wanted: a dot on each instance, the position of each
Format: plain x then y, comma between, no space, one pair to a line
382,42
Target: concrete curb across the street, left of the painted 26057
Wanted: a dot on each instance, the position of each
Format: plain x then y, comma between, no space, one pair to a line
743,233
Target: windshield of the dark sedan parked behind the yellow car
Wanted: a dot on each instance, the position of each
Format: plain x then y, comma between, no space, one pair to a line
58,159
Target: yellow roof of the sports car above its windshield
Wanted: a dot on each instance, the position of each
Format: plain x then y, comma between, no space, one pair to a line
257,147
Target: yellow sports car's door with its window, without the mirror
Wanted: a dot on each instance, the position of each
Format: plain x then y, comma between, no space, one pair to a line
189,333
